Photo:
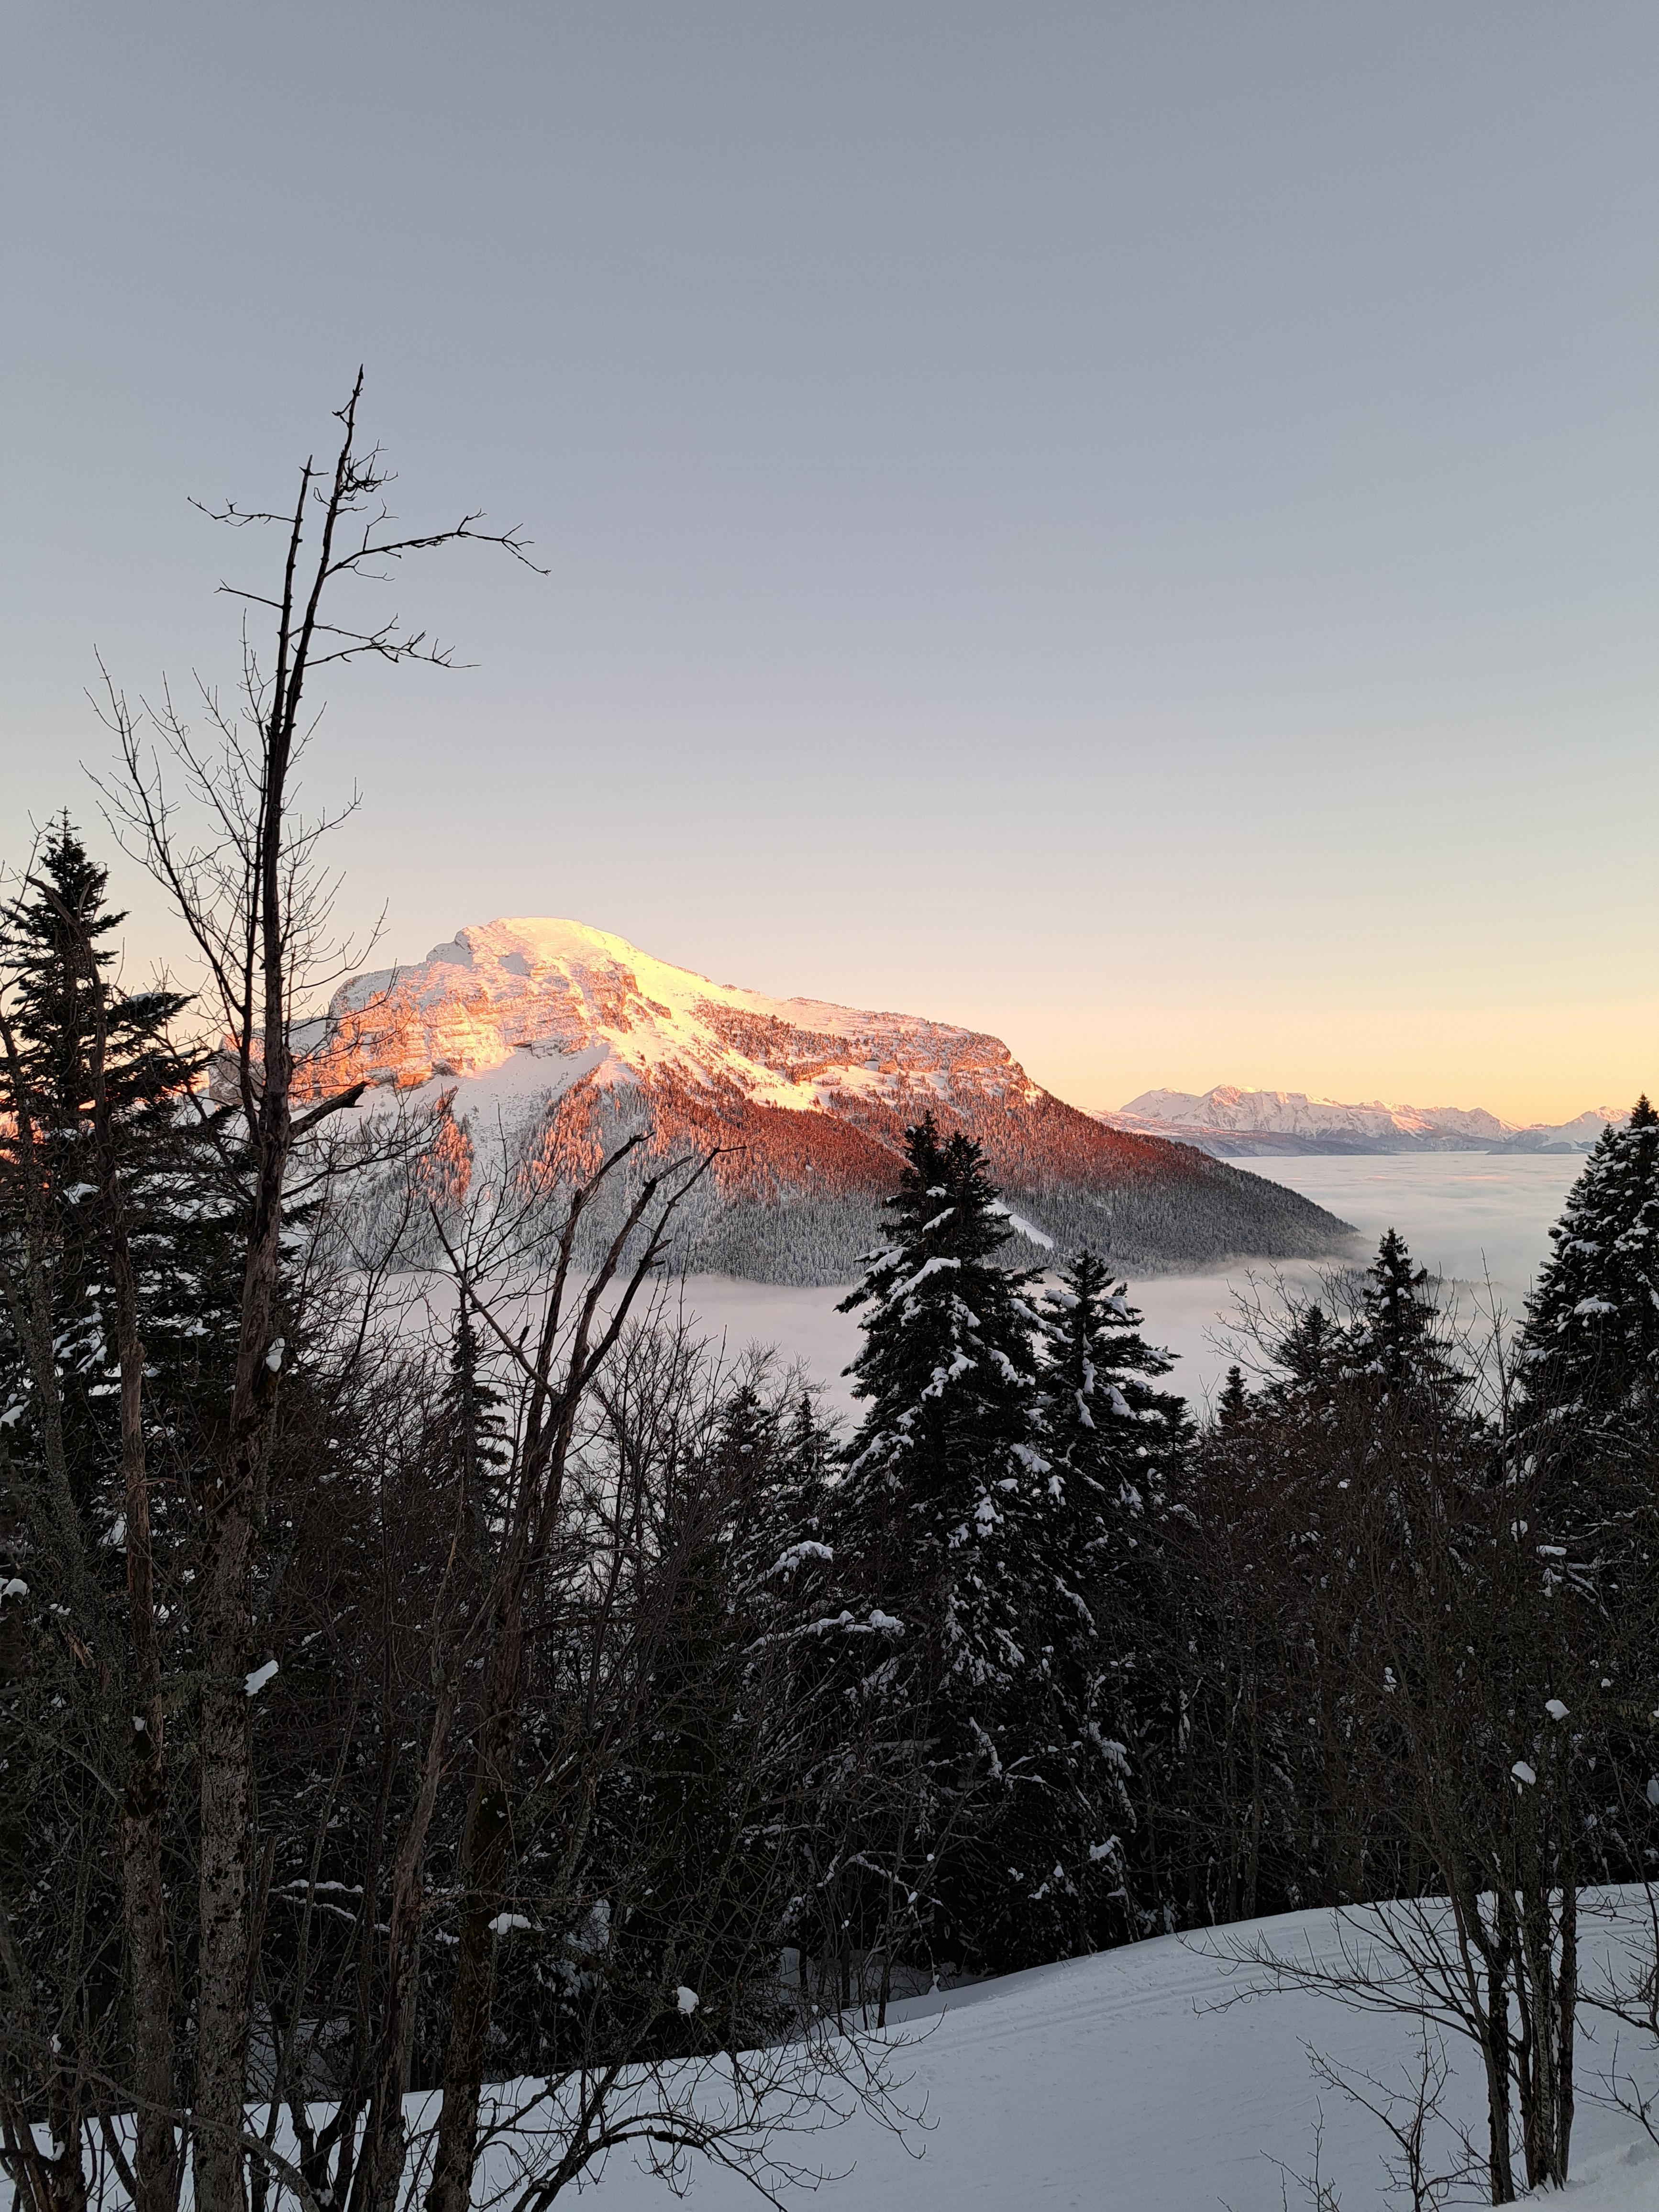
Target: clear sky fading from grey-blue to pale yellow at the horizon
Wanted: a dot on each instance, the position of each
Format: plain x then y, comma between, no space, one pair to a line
1123,525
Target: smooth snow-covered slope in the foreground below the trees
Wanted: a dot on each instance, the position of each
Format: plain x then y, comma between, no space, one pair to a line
1120,2085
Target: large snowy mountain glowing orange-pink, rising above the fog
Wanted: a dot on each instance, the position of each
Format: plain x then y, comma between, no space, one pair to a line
554,1041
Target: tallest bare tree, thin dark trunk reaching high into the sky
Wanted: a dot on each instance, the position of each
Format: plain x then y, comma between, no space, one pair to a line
258,910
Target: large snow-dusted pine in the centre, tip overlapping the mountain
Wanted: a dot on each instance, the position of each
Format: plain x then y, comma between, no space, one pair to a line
943,1521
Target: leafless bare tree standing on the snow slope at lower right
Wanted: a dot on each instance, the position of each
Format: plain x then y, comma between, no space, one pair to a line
1468,1684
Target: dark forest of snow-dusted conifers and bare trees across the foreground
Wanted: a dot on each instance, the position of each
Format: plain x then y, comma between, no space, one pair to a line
457,1726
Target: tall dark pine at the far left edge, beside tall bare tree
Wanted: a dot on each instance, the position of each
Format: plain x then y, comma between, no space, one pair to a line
76,1687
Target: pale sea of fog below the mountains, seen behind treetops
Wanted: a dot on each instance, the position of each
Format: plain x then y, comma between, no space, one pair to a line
1468,1215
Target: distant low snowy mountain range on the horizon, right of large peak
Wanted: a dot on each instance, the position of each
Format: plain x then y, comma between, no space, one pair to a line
1258,1125
